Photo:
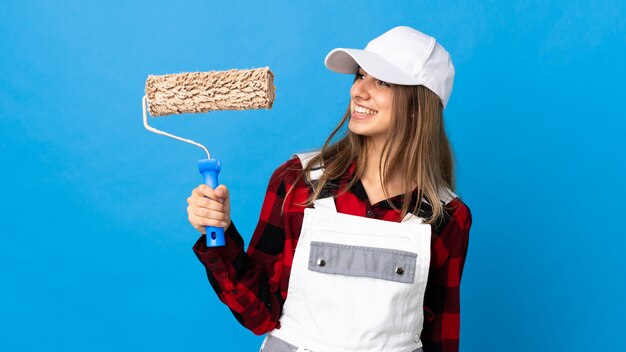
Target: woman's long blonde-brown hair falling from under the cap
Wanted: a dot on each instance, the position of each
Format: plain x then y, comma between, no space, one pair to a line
416,147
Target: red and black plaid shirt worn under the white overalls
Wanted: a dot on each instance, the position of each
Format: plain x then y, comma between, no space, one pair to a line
253,283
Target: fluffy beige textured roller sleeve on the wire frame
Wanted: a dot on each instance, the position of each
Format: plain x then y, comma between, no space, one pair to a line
206,91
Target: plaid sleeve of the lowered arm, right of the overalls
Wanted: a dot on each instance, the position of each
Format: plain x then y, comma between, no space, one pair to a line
442,316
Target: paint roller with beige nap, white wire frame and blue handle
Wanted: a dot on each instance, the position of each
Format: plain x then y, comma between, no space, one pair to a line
196,92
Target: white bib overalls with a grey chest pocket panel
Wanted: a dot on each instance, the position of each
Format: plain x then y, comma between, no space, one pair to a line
356,283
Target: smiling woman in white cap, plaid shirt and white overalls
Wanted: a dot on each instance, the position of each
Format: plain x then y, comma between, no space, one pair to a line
360,246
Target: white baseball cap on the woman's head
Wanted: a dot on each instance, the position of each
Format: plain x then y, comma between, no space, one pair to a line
402,55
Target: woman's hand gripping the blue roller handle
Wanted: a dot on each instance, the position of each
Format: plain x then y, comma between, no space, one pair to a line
209,207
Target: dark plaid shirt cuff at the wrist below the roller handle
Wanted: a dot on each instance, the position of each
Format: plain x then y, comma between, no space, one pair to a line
214,258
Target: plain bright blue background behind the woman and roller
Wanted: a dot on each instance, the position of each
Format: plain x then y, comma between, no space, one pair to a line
96,248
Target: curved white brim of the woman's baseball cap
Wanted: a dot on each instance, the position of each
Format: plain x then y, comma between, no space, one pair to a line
344,60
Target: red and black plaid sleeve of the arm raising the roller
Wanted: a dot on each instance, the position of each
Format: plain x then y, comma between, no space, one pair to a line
253,283
